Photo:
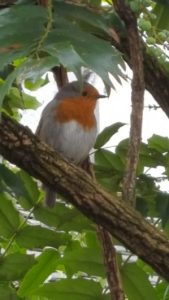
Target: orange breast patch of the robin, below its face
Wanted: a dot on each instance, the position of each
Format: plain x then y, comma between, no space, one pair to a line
80,110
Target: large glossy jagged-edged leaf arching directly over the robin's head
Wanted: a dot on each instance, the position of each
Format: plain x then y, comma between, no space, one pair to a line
101,57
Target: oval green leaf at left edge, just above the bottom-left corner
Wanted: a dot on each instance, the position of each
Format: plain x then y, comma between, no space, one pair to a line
14,266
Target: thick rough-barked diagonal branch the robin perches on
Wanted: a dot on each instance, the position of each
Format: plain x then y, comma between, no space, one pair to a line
21,147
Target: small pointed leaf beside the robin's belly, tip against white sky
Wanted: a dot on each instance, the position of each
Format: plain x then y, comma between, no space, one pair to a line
106,134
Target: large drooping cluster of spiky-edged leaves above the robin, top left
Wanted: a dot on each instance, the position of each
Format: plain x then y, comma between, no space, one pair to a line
34,39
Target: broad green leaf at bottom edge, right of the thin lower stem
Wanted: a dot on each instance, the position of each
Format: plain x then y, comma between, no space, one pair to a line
136,283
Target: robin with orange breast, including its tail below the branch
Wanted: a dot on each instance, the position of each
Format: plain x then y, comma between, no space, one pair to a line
68,124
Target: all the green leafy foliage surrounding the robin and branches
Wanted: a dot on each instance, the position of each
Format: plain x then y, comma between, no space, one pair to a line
45,251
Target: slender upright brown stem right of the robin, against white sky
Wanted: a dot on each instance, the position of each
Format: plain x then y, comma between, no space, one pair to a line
137,99
